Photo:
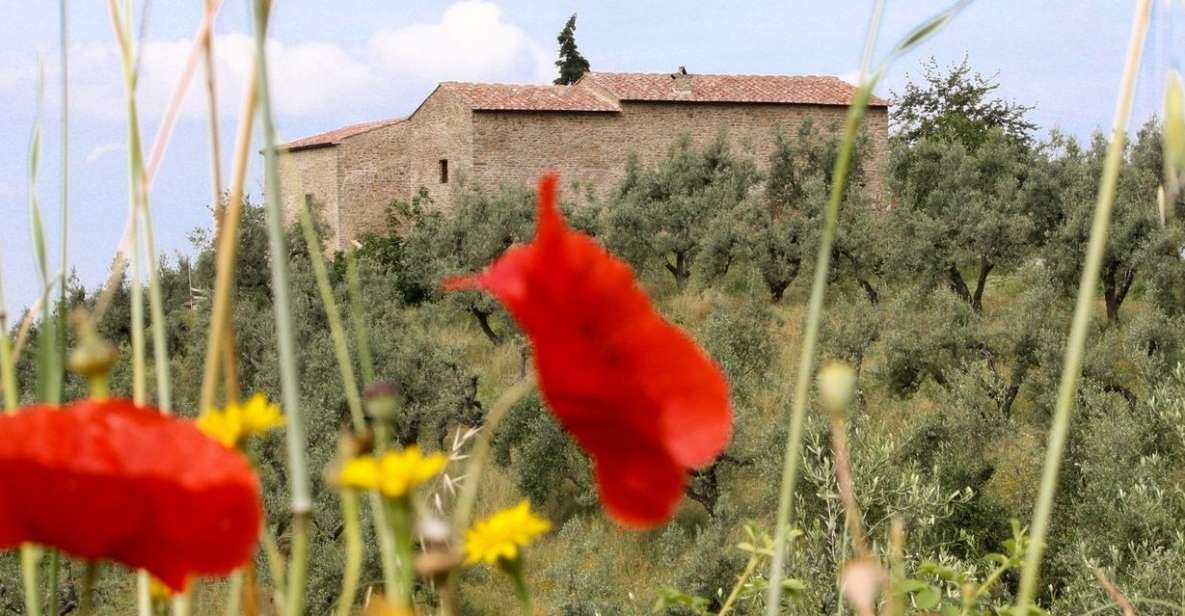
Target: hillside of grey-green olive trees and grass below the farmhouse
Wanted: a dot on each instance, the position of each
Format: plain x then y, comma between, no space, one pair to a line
955,396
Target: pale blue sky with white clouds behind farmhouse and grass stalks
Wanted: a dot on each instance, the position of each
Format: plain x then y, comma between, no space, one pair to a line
350,61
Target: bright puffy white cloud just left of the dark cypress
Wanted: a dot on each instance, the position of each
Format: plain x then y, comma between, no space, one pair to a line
471,43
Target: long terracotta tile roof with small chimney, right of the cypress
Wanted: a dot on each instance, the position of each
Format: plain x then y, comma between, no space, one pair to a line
805,89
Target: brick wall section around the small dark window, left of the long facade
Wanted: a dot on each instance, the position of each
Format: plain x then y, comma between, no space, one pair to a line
393,163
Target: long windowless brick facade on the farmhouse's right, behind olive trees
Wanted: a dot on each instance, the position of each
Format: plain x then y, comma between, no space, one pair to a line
592,149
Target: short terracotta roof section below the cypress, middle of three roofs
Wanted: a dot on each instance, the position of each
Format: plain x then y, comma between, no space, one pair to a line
504,98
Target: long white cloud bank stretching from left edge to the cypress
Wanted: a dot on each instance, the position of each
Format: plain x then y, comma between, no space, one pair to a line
472,42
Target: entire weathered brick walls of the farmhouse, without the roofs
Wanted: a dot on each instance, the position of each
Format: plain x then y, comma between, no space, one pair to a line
357,179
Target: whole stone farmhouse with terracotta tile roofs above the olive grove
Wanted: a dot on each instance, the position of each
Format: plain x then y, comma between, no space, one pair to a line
483,133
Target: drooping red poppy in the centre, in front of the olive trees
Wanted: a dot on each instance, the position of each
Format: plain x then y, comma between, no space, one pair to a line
643,400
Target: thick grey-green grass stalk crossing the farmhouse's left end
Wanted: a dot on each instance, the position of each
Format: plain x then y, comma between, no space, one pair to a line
302,503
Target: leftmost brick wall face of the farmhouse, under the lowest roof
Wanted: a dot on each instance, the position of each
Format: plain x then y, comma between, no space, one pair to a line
311,172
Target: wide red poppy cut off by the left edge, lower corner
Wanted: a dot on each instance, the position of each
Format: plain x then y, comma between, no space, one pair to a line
107,480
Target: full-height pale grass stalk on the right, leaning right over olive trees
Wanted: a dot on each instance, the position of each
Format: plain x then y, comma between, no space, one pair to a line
1072,367
